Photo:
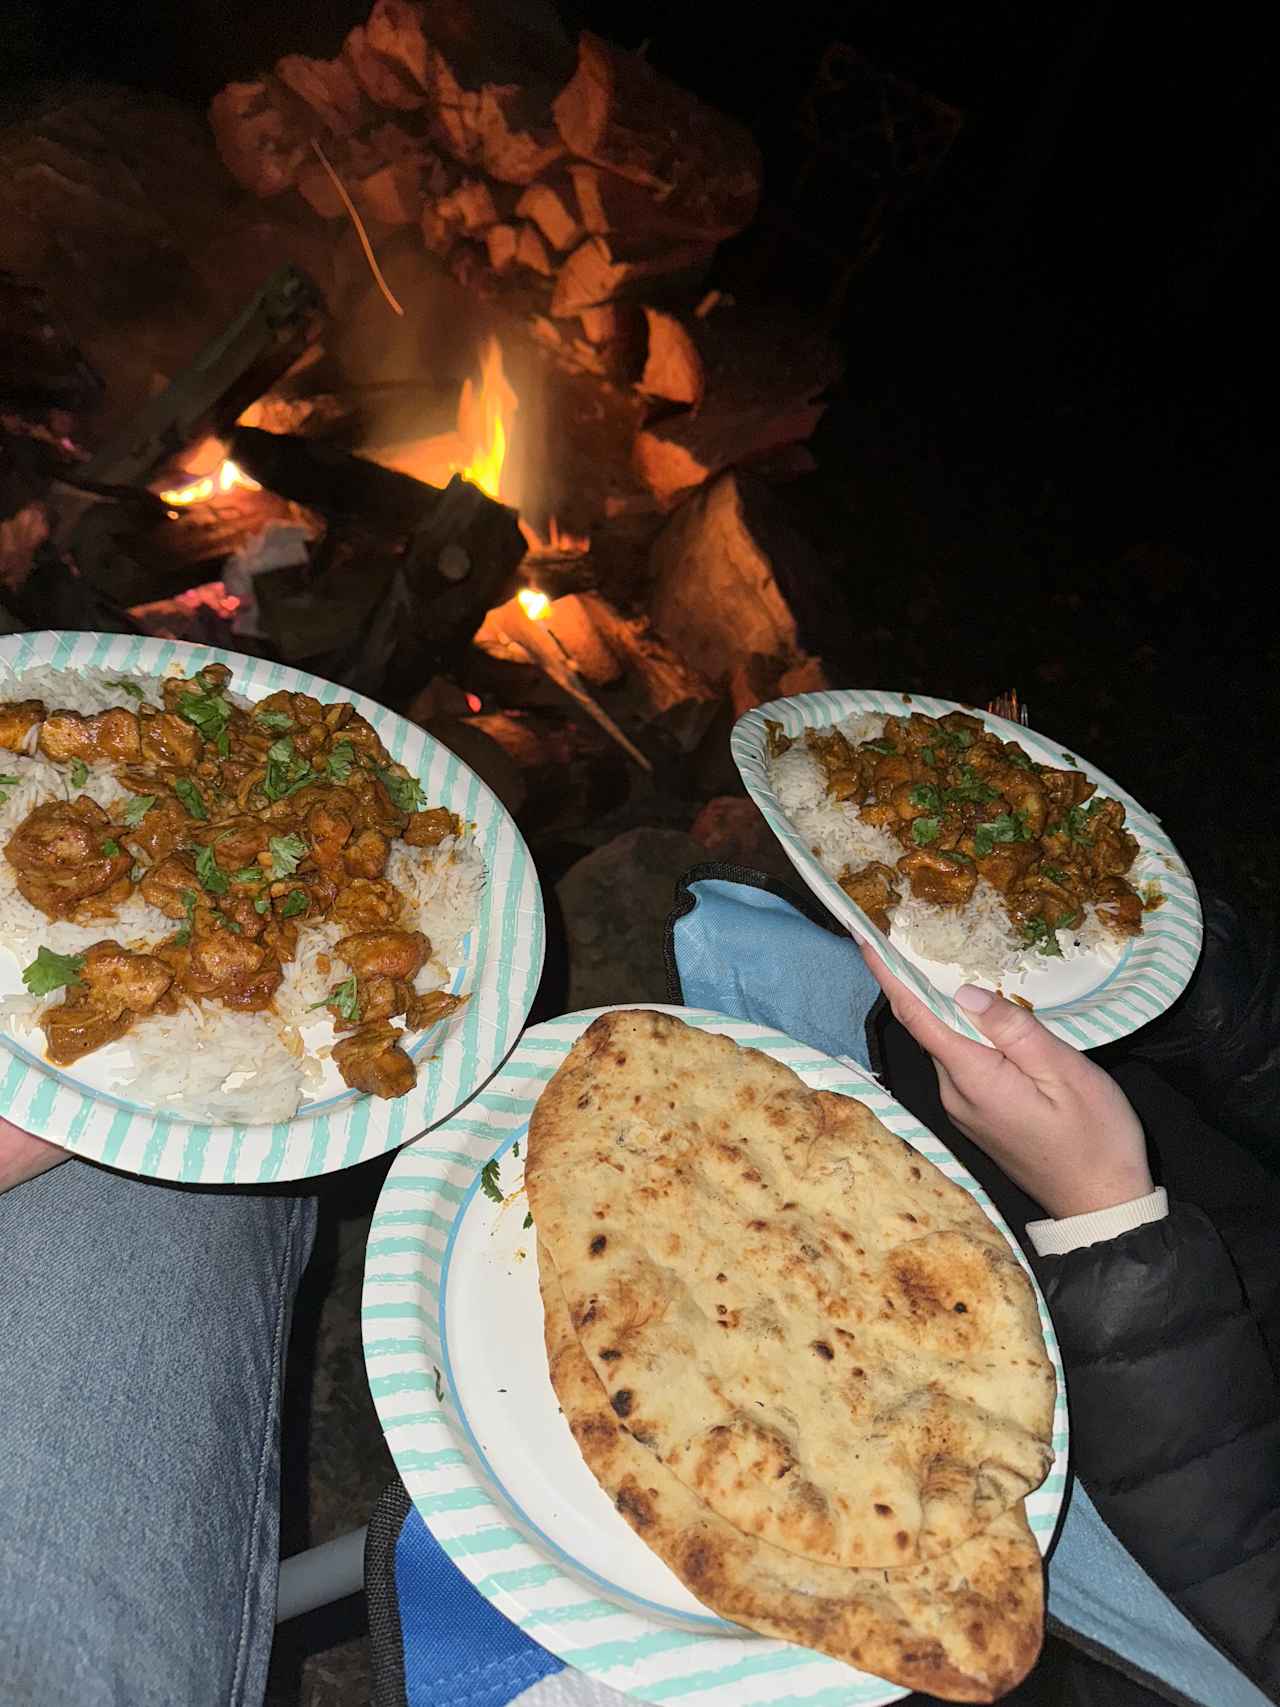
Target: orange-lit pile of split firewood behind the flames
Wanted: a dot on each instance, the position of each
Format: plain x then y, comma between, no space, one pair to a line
576,187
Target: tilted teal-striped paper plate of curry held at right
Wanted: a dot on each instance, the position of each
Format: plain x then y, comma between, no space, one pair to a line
1086,1001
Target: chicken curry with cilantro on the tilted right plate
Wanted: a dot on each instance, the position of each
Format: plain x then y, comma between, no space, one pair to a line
967,807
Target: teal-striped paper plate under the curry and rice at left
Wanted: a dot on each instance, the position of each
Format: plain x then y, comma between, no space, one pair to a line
503,960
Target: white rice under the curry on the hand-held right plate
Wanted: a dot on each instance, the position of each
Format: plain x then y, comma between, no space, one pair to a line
979,938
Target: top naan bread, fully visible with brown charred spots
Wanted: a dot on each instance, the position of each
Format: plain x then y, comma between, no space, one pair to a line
810,1325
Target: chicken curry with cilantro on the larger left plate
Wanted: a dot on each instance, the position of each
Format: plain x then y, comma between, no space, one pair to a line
240,825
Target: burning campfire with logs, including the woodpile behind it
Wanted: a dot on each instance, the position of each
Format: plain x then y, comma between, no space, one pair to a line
516,462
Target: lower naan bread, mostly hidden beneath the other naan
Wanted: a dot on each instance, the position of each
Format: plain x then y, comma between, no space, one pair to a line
965,1628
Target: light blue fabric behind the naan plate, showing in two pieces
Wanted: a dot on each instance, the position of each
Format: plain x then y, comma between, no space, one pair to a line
748,953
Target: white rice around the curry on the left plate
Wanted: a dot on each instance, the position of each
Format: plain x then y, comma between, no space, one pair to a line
209,1063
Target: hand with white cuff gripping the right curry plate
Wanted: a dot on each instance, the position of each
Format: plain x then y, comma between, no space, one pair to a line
1056,1122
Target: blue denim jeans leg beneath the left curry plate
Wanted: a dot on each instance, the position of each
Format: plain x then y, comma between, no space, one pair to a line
143,1346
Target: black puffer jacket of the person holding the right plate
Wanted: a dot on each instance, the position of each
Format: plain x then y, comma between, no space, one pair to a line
1172,1344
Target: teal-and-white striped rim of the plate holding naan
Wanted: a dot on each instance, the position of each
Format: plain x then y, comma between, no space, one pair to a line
429,1191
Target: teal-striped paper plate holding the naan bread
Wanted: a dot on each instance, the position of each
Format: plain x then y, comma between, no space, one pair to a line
453,1331
